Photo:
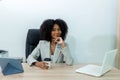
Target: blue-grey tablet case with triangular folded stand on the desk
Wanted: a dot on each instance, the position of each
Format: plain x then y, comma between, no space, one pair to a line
10,66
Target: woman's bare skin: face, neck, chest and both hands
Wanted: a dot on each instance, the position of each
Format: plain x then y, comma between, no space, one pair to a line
55,34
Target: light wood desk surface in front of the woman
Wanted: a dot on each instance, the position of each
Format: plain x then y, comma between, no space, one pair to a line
58,72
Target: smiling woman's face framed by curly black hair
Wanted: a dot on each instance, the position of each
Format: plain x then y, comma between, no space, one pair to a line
56,31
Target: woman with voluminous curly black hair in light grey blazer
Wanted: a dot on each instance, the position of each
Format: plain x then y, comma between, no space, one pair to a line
51,44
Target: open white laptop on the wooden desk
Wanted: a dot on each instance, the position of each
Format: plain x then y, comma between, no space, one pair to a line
97,70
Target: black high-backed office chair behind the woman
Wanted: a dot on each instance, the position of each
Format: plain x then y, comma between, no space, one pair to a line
33,37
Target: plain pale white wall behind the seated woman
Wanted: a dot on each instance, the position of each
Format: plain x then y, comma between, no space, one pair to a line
92,25
